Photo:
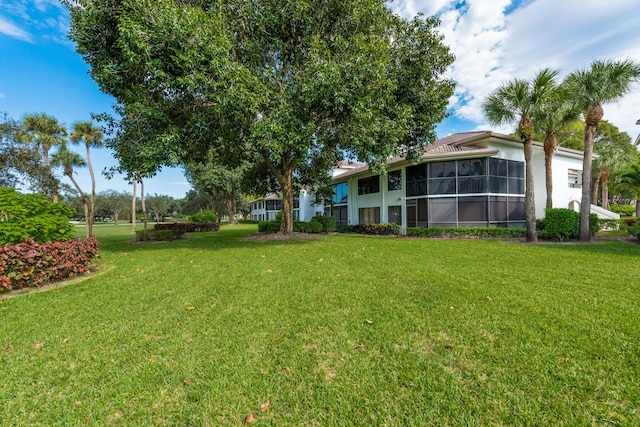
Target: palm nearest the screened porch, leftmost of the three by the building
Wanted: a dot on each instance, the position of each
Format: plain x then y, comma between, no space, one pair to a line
520,101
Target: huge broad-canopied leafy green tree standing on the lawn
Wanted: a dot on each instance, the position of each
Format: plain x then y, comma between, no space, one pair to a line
298,82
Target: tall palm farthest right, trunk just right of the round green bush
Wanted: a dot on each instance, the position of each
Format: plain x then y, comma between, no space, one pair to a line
606,81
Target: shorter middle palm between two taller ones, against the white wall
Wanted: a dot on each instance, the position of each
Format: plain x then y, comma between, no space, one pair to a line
556,113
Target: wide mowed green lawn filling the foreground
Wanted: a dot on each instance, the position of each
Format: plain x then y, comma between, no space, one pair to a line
339,330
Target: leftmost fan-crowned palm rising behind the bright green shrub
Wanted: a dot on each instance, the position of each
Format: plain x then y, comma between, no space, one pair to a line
45,132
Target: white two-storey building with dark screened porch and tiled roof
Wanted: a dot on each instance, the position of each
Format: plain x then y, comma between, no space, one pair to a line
463,180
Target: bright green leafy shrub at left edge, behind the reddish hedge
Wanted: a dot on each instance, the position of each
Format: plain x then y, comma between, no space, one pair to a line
32,216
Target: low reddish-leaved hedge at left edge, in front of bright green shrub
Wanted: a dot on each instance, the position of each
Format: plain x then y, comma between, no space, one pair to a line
33,264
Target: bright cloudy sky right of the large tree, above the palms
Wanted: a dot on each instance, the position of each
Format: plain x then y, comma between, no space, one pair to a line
494,44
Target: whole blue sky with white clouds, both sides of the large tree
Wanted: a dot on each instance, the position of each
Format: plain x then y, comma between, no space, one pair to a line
493,40
